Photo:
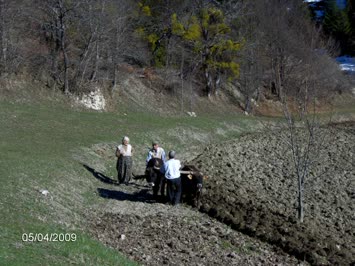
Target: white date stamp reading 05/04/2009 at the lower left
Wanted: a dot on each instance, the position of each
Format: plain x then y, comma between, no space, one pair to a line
48,237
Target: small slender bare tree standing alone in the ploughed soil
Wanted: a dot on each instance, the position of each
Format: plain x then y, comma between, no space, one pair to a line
301,134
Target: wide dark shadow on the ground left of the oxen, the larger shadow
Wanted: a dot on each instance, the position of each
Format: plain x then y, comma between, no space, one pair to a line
141,196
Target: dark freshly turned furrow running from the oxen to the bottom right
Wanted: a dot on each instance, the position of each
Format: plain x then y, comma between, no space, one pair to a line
294,238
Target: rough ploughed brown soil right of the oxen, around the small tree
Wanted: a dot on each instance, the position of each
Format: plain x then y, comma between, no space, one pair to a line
251,189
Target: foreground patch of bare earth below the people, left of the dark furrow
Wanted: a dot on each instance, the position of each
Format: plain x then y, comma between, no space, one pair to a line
158,234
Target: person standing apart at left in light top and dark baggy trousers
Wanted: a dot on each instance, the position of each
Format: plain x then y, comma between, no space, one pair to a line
124,162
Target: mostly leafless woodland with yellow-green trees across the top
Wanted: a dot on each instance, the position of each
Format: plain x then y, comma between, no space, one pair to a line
253,45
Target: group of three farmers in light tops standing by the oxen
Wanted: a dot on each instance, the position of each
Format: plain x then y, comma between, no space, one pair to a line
170,168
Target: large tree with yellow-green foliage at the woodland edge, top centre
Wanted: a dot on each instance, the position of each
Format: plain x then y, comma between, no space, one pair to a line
208,35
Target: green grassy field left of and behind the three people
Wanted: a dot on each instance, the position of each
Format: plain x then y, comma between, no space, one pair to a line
45,147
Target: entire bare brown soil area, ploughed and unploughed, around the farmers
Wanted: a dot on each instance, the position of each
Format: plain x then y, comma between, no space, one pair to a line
248,205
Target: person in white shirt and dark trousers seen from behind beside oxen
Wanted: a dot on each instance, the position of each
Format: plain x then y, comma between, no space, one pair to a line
171,171
